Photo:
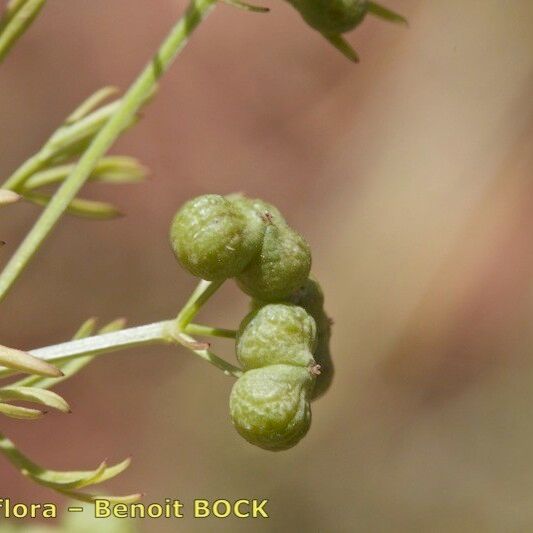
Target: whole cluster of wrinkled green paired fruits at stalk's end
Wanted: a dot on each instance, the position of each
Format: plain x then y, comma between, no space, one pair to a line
283,343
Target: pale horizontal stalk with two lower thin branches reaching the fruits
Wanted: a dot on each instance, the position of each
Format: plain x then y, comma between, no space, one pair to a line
164,332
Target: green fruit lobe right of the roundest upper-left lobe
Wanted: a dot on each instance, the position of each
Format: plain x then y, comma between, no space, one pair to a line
282,265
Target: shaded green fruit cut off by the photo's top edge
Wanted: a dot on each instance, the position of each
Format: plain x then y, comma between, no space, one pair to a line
332,17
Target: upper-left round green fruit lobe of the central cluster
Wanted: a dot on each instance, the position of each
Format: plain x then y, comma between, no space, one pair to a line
213,238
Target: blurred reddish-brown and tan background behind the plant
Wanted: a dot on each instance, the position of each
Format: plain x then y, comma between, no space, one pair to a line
410,175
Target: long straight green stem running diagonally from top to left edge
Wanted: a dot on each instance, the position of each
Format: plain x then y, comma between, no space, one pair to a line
129,105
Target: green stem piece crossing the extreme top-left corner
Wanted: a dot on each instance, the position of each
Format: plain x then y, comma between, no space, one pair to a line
16,20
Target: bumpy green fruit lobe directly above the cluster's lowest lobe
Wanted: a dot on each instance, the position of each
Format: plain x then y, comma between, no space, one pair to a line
276,334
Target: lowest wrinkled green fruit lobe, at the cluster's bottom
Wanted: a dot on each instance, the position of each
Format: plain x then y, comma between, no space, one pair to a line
270,406
